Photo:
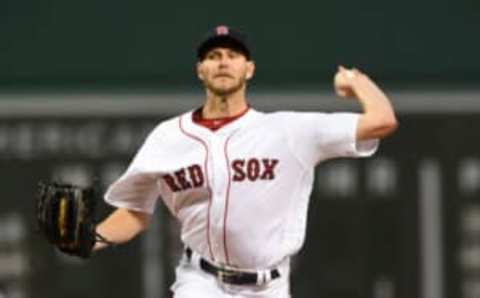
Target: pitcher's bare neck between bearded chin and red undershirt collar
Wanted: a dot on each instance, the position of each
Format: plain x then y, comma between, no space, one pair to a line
218,106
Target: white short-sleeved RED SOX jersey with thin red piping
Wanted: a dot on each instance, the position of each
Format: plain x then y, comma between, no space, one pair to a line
240,193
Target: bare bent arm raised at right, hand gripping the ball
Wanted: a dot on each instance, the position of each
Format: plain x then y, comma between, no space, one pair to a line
378,118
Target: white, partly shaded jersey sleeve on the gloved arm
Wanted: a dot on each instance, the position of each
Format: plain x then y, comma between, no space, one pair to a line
138,189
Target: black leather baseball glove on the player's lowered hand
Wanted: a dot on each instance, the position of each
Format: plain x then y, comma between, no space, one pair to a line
65,215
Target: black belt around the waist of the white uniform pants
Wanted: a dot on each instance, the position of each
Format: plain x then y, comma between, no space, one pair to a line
229,276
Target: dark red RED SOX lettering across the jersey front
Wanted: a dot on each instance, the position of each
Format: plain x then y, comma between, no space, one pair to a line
251,169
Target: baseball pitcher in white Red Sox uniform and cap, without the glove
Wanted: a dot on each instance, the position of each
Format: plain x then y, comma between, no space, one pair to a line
238,179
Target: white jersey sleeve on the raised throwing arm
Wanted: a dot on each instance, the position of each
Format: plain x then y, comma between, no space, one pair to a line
315,137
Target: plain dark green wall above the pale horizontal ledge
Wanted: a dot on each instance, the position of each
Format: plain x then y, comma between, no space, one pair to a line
151,43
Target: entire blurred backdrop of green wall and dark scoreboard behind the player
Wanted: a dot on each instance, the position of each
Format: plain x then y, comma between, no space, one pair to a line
82,82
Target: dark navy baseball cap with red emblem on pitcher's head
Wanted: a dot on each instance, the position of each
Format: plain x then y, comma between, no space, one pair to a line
223,36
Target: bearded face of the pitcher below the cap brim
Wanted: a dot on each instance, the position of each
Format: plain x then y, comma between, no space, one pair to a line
224,71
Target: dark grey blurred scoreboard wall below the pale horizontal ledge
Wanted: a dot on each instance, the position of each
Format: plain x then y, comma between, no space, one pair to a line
363,231
